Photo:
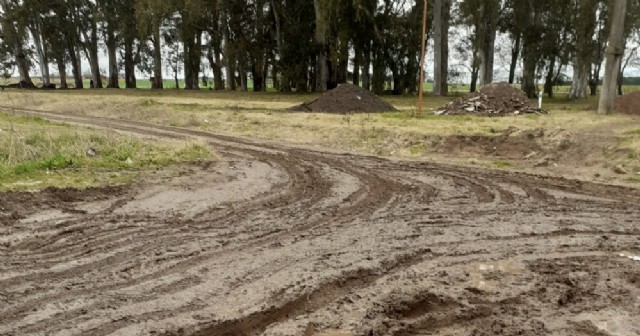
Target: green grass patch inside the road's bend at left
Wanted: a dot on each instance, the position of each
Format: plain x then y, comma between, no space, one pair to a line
35,152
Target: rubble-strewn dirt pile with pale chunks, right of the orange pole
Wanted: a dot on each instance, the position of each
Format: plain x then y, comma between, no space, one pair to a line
491,101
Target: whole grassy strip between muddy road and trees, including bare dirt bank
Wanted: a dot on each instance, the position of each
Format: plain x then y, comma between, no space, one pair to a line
572,141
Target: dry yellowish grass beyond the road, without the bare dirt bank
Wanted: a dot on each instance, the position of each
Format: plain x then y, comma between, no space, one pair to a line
398,134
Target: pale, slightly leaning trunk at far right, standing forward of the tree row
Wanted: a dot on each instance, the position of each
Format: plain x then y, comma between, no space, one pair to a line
614,58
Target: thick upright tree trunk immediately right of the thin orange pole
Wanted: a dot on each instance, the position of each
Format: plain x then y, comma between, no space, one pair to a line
441,41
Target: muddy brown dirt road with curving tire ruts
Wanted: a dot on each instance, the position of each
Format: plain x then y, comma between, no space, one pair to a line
274,240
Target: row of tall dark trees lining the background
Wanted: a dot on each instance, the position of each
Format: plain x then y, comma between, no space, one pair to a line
310,45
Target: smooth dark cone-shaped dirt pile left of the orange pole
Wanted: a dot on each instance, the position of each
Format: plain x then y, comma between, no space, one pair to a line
344,99
